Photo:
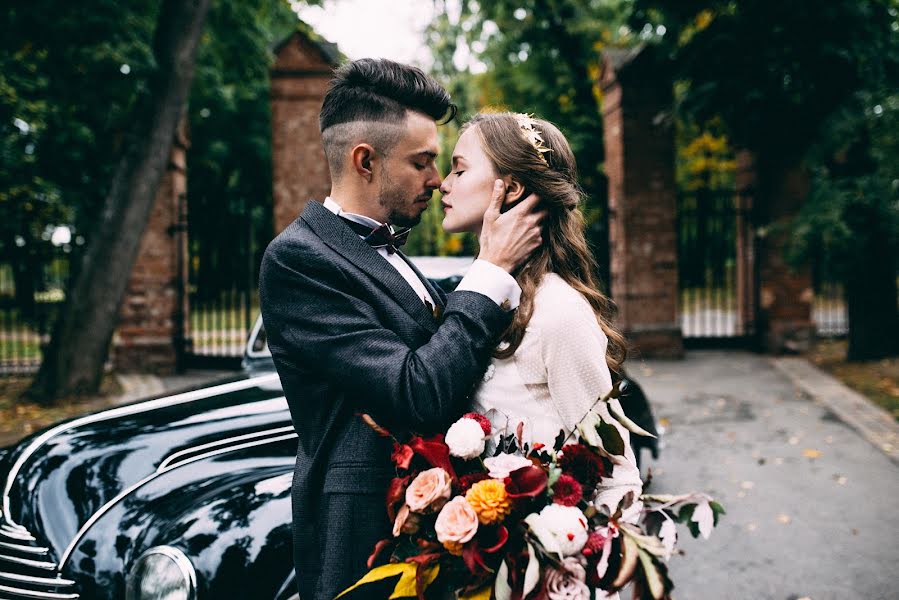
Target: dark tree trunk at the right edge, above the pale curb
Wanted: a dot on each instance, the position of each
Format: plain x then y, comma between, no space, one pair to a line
871,289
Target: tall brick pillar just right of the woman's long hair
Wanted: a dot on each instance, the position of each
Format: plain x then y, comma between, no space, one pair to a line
639,148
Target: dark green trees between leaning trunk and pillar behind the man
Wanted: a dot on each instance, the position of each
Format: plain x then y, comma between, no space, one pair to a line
229,160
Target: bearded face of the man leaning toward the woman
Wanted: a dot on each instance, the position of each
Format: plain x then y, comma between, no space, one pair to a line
408,176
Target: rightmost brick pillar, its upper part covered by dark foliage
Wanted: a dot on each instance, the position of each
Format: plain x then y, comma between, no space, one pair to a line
785,293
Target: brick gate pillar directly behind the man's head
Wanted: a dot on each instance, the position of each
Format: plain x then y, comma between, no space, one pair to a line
303,67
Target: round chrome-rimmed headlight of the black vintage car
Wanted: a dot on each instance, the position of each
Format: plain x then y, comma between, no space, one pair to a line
162,573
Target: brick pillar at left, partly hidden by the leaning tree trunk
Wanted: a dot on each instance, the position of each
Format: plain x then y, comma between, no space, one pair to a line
153,318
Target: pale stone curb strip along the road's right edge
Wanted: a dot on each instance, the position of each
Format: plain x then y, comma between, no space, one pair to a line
872,422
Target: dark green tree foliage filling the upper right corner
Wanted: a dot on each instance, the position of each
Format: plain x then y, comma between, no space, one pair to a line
806,86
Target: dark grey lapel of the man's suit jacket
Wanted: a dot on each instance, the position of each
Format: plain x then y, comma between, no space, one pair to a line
345,242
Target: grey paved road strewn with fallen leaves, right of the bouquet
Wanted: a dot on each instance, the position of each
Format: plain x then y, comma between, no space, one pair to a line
812,506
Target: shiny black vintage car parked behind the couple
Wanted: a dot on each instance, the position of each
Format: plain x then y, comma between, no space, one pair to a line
176,497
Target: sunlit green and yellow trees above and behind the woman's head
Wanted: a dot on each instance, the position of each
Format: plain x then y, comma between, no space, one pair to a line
541,57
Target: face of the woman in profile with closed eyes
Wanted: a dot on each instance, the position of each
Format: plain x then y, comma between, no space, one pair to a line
467,189
